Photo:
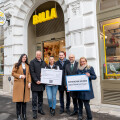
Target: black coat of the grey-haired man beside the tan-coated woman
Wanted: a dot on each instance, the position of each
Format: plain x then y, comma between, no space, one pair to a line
35,71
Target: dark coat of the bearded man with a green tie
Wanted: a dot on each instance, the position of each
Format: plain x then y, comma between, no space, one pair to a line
73,72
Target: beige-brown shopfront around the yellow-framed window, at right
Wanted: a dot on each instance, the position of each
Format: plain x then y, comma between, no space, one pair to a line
108,19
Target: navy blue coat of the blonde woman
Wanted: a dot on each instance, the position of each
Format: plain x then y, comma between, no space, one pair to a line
87,95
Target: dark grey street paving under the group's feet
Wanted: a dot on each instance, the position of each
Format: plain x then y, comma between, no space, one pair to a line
7,112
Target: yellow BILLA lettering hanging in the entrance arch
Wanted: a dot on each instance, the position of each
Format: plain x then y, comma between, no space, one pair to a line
45,16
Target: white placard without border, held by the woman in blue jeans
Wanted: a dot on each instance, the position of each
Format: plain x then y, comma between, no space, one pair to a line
51,76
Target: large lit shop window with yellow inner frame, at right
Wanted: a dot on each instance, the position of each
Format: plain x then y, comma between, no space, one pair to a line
110,49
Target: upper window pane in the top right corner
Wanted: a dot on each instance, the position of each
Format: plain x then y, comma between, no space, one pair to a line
105,4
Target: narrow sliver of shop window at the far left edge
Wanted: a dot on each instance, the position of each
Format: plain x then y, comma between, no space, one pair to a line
1,60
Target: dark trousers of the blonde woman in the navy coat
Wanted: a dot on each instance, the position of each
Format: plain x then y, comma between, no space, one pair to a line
87,108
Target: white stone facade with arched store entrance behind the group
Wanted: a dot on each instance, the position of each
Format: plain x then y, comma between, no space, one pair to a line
73,31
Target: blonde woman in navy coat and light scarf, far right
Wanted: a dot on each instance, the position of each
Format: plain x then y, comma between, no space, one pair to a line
85,96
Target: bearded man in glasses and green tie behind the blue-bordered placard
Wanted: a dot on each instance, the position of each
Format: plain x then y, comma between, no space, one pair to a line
71,69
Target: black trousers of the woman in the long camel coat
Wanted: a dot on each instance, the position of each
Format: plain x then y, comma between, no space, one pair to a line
20,105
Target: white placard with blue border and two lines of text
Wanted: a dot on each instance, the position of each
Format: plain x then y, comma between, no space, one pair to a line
78,83
